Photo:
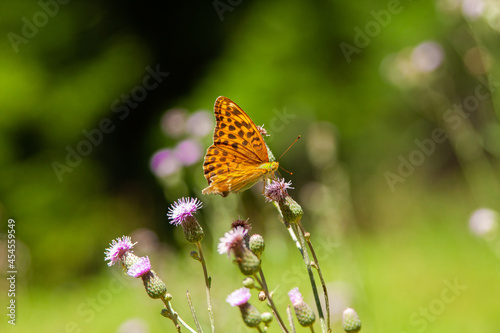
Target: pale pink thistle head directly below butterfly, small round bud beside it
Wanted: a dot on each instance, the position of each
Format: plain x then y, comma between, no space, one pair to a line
234,241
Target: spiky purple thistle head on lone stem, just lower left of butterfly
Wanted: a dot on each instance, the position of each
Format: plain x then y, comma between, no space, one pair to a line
182,213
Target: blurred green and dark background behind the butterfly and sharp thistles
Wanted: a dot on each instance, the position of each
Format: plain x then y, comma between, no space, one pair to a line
397,168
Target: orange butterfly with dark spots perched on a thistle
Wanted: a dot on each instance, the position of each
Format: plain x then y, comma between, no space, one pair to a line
238,158
